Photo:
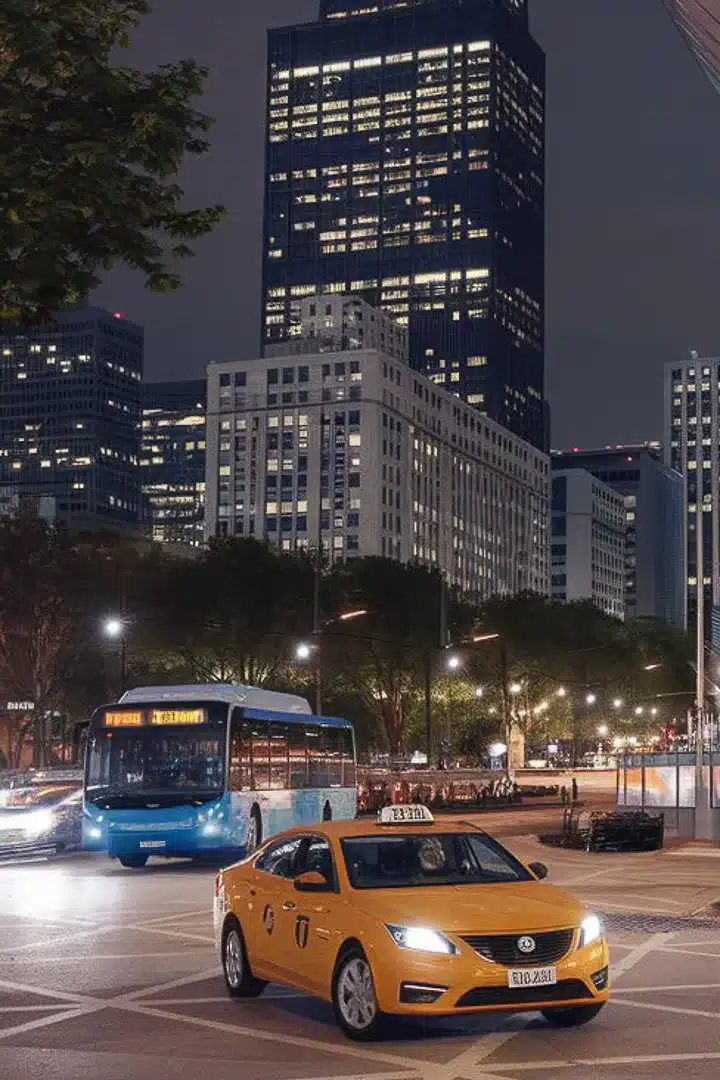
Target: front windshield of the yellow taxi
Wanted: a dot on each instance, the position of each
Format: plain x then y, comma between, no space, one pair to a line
411,860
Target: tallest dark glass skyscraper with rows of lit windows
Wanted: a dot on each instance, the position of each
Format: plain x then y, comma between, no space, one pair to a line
405,164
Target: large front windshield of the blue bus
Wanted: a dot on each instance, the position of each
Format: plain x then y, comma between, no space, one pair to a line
150,762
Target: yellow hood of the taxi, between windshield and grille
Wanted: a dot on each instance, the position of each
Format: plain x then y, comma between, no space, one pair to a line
476,909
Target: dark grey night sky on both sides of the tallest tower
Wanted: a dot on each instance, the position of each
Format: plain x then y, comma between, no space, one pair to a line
633,206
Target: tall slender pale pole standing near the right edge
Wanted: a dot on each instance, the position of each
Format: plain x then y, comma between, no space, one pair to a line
703,831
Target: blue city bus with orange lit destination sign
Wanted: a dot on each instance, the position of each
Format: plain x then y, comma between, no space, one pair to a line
211,771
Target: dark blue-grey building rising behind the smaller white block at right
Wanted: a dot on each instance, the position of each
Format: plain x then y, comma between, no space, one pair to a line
655,525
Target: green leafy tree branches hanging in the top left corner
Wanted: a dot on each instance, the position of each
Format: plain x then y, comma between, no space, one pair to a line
90,152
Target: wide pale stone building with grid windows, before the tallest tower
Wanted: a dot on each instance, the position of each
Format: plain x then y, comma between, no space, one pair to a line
359,450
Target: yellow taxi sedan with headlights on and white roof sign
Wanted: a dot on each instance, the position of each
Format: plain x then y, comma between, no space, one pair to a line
407,916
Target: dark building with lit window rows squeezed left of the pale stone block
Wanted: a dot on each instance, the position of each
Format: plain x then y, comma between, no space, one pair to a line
173,462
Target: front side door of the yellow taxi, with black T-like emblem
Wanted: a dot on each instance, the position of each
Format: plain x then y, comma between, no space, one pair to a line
309,920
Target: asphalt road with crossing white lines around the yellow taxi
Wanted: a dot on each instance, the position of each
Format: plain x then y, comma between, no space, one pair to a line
112,974
